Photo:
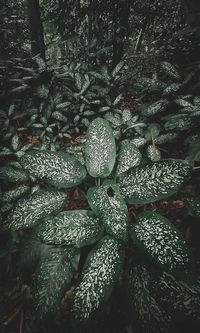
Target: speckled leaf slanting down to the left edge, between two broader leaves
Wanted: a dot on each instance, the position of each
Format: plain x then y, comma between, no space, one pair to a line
31,210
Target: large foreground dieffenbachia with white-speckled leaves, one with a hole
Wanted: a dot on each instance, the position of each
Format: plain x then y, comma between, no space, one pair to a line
120,177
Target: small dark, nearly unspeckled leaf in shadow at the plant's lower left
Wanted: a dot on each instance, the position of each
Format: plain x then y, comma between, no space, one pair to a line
31,251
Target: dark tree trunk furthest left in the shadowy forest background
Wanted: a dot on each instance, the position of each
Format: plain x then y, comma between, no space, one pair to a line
36,28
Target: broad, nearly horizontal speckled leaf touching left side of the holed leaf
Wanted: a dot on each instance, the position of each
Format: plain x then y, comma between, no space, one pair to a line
75,227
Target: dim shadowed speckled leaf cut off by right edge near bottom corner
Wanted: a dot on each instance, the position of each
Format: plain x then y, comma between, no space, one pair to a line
178,298
